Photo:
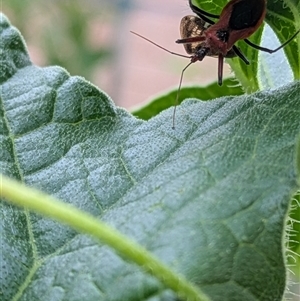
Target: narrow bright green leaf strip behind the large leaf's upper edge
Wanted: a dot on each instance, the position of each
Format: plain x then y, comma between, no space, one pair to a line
160,103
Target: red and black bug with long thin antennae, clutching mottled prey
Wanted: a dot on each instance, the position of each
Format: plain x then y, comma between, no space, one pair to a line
202,37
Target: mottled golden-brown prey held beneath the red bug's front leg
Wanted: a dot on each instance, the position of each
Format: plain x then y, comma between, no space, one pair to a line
192,26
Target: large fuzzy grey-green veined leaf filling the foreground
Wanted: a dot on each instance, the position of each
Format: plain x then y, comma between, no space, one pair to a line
208,199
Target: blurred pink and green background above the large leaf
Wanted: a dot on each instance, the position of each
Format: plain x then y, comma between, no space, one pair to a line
92,39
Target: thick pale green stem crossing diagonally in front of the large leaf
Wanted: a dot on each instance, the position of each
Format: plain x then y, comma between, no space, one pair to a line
37,201
